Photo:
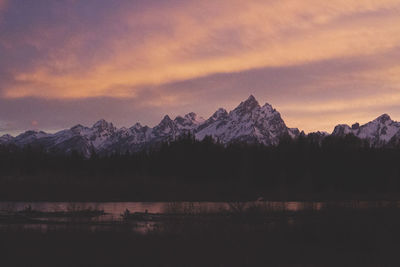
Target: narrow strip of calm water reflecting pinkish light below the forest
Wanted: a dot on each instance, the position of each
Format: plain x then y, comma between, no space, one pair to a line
113,210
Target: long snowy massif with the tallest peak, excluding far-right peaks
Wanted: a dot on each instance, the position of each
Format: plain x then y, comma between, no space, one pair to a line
248,122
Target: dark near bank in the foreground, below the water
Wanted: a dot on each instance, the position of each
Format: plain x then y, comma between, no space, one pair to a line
252,237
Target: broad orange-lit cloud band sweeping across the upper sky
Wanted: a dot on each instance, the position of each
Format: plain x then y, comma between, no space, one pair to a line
199,39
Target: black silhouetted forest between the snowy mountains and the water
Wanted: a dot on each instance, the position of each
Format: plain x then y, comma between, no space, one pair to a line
187,169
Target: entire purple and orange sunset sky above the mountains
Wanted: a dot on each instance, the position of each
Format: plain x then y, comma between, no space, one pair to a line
319,63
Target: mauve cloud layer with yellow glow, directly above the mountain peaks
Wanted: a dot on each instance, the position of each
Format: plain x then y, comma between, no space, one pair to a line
315,96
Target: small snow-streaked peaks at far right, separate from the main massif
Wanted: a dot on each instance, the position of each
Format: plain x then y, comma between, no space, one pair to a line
378,132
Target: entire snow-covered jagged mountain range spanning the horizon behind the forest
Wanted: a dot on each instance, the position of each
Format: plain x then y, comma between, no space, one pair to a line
248,122
